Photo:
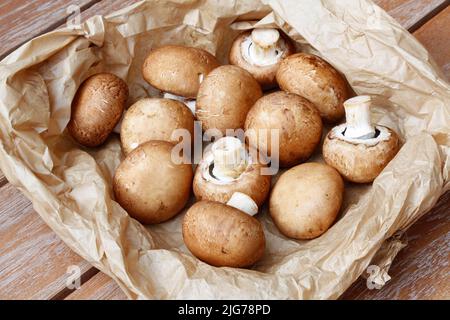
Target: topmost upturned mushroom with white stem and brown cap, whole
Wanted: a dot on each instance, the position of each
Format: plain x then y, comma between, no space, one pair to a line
260,51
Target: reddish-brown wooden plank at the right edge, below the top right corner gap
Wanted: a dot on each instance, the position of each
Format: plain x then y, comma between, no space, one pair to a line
435,36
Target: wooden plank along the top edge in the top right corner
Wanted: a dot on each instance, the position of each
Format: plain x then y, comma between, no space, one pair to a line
411,14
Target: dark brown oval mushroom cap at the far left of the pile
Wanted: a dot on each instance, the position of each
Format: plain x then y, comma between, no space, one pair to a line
96,108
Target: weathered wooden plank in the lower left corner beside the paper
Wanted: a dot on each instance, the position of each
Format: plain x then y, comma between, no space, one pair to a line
33,260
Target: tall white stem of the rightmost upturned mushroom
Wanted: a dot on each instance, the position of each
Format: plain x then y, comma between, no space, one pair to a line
357,113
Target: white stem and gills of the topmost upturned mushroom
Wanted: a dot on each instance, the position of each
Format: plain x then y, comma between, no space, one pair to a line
263,47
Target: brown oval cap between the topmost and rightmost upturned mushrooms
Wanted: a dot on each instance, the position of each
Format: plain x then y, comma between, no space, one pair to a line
315,79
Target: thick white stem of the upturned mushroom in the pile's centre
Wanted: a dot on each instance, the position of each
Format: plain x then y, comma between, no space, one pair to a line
229,158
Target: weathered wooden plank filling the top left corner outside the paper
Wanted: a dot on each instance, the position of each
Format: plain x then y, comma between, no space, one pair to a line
22,20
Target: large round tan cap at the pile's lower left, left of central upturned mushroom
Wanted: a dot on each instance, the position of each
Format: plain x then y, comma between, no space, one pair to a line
149,186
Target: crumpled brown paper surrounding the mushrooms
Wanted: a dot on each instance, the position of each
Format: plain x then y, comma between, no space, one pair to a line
70,187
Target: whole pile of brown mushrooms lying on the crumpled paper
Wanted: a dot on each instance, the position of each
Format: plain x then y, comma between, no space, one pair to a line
230,183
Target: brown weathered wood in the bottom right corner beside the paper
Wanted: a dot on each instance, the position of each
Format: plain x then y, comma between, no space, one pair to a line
422,269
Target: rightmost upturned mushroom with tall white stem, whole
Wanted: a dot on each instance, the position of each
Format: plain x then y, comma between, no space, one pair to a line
358,149
